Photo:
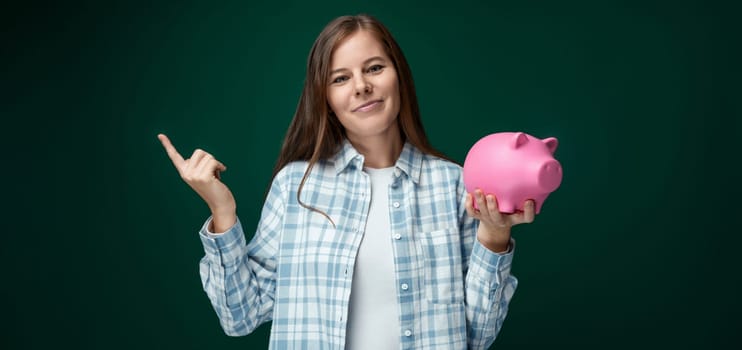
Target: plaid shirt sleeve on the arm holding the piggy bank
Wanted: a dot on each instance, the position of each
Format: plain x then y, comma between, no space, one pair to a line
488,284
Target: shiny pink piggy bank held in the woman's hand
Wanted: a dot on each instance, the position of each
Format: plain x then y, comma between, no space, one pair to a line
514,167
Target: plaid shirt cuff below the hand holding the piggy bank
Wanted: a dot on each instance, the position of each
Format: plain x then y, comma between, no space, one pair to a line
491,267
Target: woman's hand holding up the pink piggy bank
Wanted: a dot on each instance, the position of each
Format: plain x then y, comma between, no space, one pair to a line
494,226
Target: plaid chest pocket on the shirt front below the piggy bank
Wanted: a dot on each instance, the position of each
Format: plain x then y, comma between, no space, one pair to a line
443,275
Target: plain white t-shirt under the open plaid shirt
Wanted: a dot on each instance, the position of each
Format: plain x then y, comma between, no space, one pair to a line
373,318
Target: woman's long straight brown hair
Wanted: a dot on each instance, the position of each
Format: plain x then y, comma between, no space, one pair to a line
315,133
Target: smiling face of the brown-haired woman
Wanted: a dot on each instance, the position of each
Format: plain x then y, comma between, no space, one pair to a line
363,89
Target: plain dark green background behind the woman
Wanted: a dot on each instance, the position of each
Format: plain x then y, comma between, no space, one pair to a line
636,249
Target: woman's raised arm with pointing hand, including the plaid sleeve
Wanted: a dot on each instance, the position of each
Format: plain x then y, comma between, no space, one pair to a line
238,278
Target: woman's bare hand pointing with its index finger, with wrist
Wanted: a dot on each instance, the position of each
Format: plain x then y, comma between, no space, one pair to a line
201,172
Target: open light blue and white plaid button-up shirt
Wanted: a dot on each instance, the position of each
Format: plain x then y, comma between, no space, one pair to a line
452,293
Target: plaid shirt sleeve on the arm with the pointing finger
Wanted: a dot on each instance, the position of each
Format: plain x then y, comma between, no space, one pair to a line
240,278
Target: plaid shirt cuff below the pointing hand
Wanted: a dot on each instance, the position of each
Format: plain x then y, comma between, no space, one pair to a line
224,248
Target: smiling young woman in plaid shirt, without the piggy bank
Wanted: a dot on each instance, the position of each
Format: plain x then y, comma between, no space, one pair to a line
367,238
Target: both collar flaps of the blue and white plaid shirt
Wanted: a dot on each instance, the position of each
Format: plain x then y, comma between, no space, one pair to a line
409,161
